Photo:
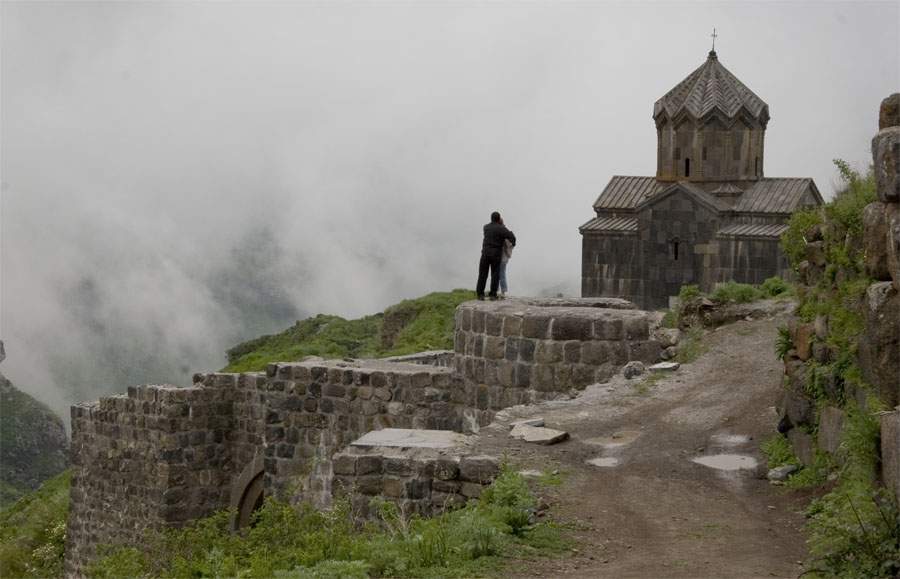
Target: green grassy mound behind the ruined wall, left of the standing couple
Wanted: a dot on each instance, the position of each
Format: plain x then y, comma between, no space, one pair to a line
334,337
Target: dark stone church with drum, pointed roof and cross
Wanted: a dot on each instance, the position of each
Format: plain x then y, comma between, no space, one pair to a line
709,215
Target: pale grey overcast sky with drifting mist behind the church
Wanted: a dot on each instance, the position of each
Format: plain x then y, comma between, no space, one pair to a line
144,144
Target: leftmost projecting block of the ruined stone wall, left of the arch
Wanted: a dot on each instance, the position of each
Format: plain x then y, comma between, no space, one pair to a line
157,456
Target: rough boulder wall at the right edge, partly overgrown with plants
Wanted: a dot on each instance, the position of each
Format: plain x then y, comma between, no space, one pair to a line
879,345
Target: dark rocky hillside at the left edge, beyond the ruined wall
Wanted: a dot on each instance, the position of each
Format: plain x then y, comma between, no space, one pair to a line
33,443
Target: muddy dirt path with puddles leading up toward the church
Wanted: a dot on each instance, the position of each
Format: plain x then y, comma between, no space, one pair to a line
656,512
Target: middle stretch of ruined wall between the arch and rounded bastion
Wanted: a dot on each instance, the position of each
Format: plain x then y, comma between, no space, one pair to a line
315,409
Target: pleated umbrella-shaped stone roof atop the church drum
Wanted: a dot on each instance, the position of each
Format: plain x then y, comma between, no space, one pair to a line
711,87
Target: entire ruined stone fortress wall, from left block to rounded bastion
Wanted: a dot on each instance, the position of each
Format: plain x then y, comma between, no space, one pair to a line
162,456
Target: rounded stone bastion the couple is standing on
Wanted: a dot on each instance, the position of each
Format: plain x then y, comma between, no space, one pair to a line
520,352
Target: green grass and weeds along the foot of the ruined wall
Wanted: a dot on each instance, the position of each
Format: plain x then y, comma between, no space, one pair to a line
298,541
